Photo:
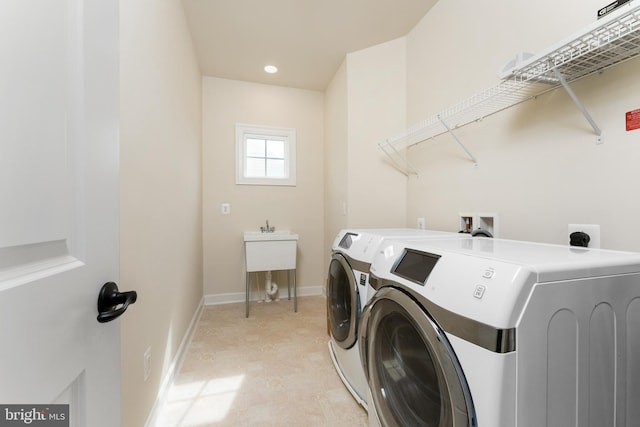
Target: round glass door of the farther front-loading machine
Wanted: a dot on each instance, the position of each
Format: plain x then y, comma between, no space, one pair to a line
343,302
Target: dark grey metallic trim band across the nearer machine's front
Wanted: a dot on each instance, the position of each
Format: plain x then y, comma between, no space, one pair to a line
489,337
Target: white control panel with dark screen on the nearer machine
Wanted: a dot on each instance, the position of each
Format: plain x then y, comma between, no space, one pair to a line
491,291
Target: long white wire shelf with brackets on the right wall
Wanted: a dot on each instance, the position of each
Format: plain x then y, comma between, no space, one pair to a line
607,42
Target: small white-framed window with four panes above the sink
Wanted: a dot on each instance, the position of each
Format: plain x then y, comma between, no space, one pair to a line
265,155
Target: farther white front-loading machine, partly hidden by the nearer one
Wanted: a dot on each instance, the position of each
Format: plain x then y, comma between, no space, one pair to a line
347,282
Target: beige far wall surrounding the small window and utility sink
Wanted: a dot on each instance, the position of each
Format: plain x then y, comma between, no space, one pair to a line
299,208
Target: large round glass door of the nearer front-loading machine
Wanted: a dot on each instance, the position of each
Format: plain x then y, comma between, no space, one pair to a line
414,376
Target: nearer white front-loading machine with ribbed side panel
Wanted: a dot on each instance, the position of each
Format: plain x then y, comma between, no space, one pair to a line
497,333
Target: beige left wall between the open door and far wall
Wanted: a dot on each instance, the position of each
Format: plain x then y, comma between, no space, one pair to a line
160,186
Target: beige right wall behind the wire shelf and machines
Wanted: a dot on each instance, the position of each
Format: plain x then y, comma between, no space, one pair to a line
539,167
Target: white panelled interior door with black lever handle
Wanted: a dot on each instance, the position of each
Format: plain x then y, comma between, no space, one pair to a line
59,205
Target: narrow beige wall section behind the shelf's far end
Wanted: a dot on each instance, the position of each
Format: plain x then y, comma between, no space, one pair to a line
376,96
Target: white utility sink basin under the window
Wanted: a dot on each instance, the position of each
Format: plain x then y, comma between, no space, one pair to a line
270,251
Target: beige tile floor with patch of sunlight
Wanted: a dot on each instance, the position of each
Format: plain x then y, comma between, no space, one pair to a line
272,369
